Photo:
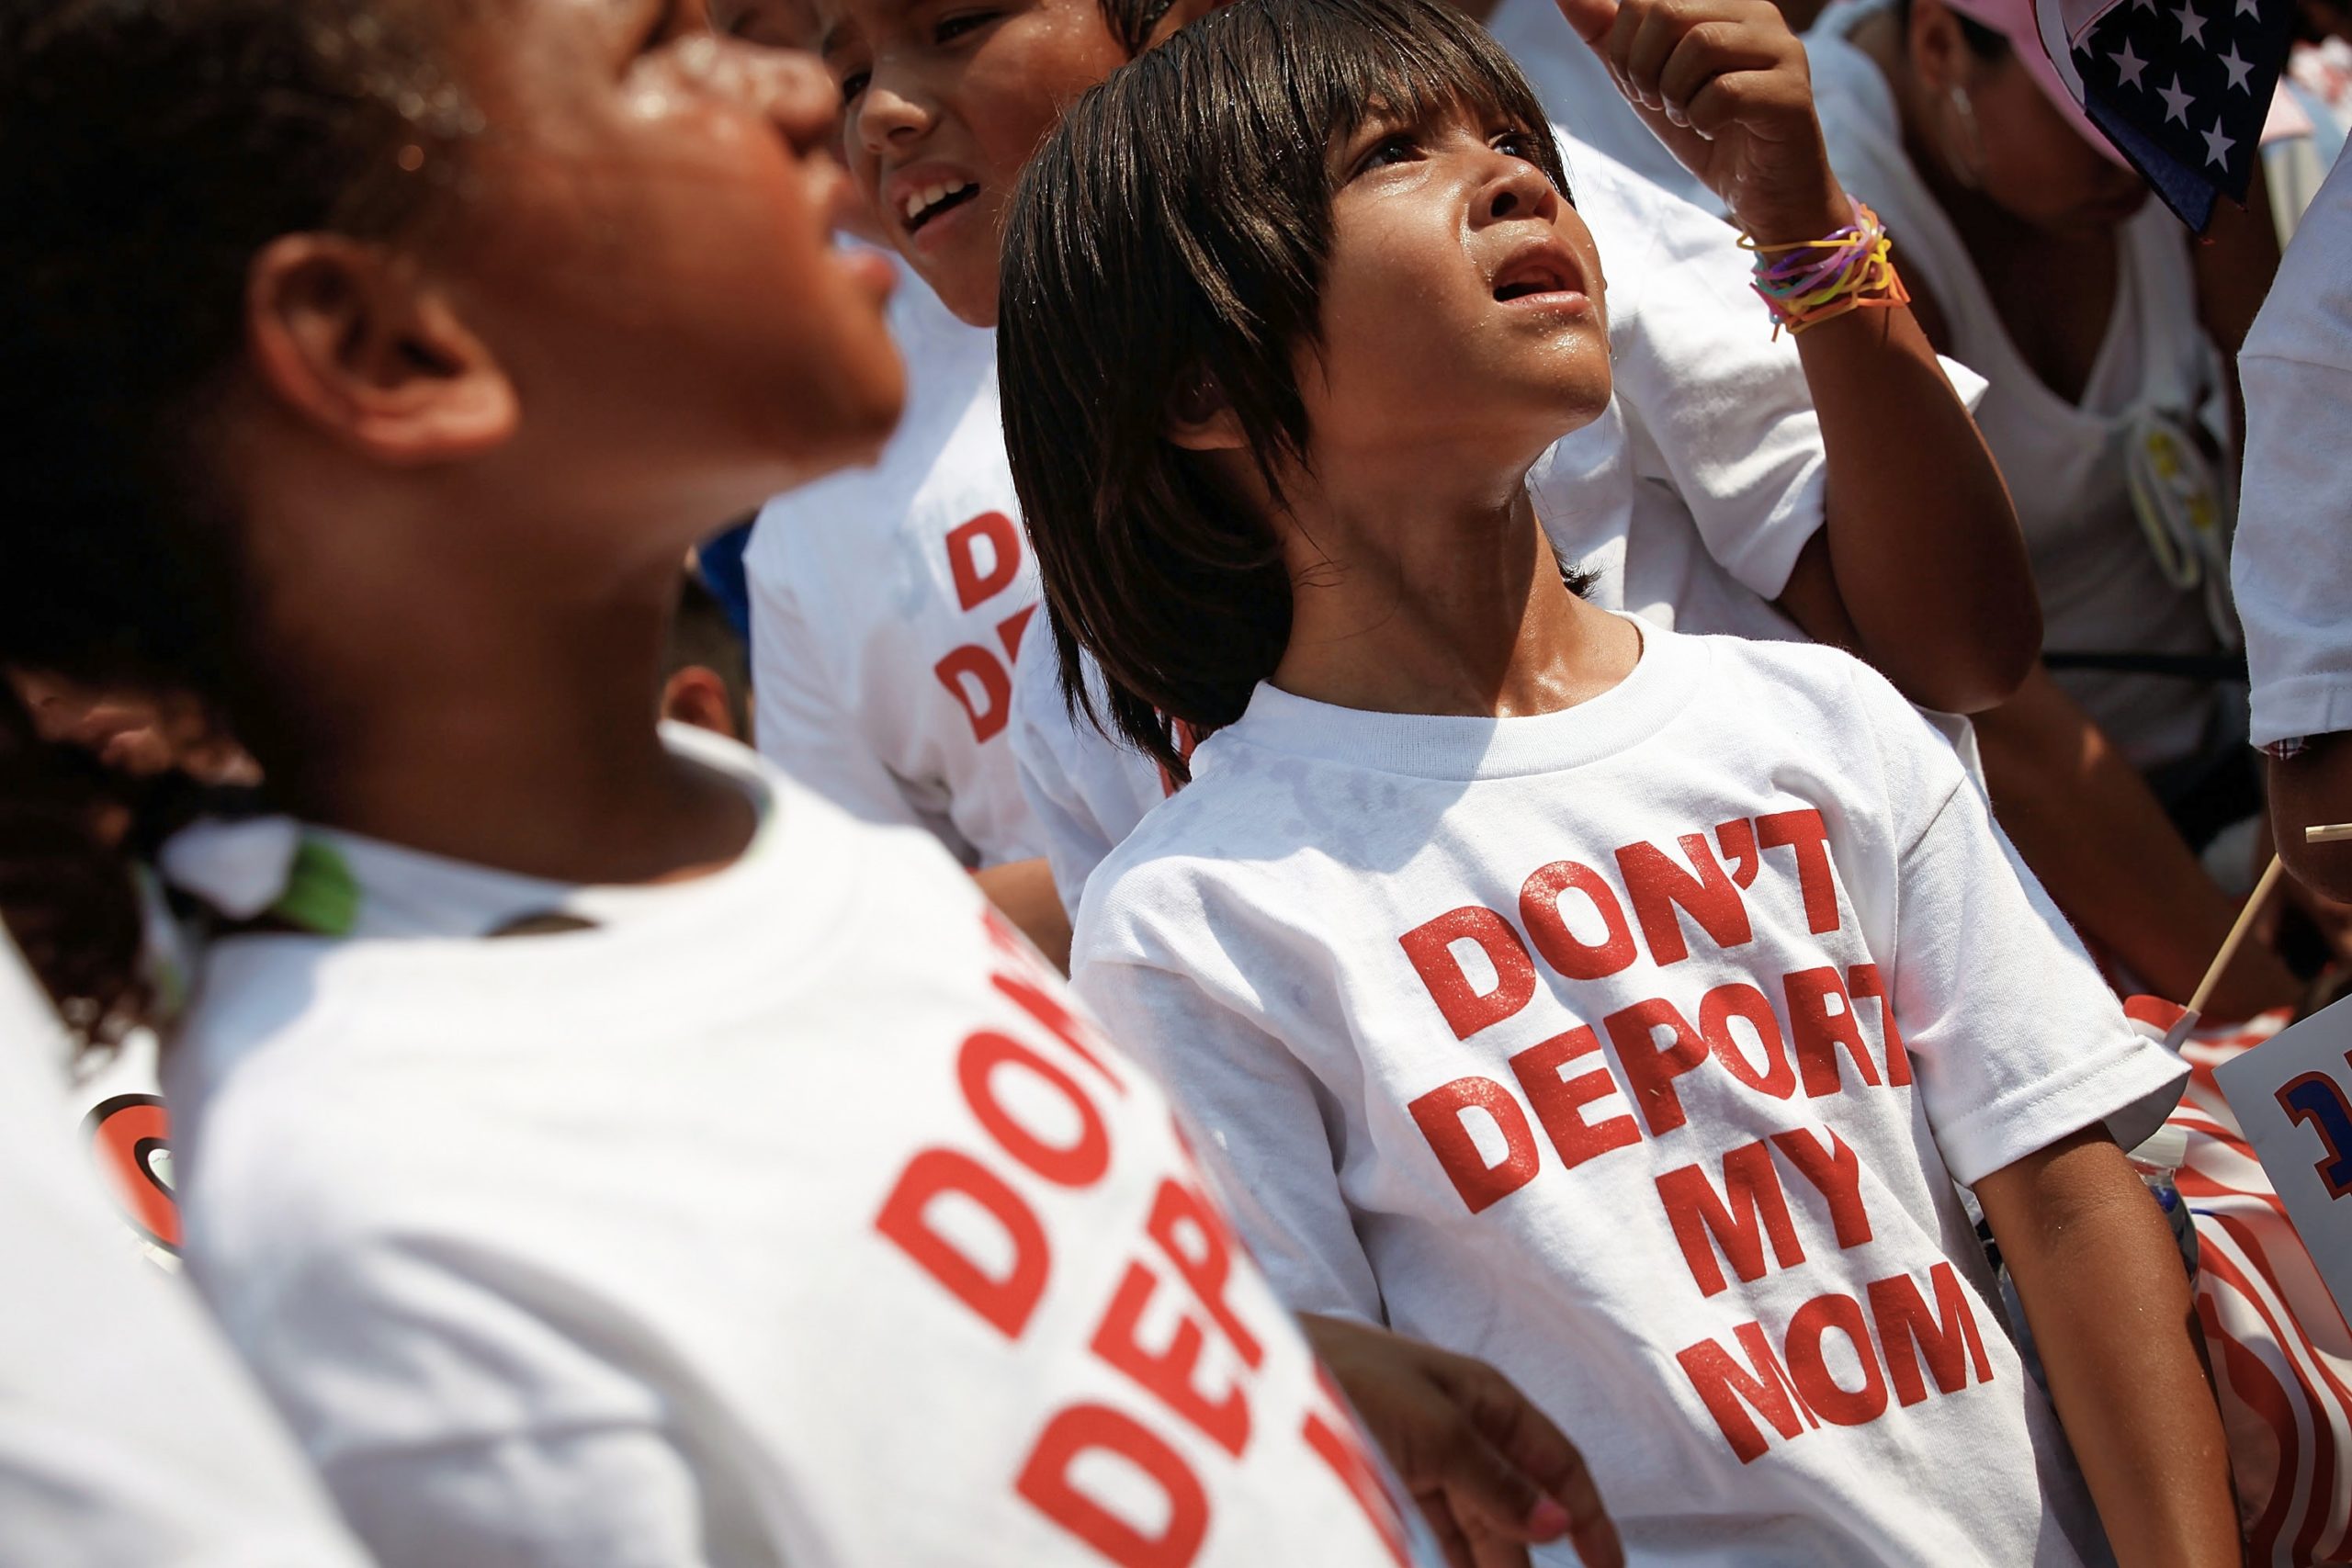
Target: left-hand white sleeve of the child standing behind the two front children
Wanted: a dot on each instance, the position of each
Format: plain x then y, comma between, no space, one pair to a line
801,723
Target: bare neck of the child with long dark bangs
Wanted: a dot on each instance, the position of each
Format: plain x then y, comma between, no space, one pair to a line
1441,605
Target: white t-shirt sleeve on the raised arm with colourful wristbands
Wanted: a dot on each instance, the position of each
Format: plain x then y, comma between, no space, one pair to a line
1728,408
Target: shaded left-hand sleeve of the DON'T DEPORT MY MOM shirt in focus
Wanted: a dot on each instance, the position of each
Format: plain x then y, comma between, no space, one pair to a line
1257,1123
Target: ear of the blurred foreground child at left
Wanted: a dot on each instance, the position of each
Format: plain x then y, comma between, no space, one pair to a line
354,342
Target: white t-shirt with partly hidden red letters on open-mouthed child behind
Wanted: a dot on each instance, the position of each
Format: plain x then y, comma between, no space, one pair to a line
888,608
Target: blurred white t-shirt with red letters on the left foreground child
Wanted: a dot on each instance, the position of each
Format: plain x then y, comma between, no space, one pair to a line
784,1214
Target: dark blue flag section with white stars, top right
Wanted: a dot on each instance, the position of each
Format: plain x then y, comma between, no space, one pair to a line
2179,86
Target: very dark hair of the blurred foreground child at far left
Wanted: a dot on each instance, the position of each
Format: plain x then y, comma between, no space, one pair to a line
149,149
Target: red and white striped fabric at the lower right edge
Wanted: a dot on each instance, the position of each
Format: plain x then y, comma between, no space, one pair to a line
2283,1353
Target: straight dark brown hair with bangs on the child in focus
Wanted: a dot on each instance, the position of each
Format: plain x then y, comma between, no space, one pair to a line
1175,229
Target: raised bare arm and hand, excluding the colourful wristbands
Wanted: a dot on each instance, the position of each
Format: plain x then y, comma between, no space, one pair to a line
1920,568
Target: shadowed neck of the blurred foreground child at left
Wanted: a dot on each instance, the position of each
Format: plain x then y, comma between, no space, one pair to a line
507,728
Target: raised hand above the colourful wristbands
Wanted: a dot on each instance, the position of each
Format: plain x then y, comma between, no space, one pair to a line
1728,88
